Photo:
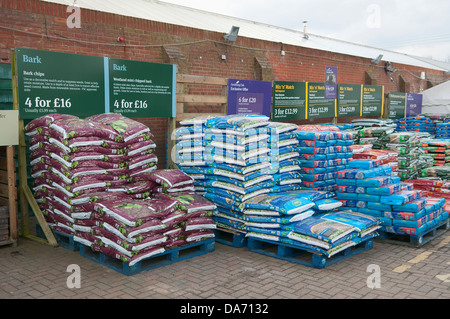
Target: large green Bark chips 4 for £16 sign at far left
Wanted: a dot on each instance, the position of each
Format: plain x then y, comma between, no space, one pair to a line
52,82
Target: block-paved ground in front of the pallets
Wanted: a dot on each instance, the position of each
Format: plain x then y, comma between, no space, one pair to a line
36,271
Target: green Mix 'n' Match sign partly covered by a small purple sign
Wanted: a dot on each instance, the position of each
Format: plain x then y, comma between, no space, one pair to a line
318,105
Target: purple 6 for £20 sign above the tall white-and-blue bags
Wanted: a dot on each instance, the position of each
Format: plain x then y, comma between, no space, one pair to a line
249,97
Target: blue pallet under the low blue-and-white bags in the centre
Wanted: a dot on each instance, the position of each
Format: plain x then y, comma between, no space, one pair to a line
303,256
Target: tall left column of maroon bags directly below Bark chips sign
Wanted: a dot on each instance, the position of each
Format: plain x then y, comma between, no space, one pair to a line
72,161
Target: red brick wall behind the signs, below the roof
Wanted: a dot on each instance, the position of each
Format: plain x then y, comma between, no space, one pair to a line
41,25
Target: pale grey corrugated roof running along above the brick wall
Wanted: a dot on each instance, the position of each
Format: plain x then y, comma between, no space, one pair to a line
194,18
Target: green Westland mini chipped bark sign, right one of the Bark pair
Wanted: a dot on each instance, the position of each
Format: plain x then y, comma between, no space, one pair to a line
141,89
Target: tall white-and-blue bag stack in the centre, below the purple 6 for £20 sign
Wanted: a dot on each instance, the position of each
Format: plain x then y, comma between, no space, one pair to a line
231,162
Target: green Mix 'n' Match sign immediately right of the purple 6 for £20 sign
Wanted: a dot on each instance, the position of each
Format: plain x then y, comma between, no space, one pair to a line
289,100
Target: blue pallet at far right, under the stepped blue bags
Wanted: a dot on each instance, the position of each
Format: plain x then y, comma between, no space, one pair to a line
416,240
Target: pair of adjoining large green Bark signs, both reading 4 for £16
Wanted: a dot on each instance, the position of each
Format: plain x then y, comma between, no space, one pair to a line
81,85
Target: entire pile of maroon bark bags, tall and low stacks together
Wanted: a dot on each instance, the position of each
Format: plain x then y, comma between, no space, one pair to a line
97,180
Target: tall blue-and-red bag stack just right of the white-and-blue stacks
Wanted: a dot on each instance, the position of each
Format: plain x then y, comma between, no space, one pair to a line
323,151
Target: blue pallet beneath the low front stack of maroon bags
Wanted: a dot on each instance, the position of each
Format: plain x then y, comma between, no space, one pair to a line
168,257
